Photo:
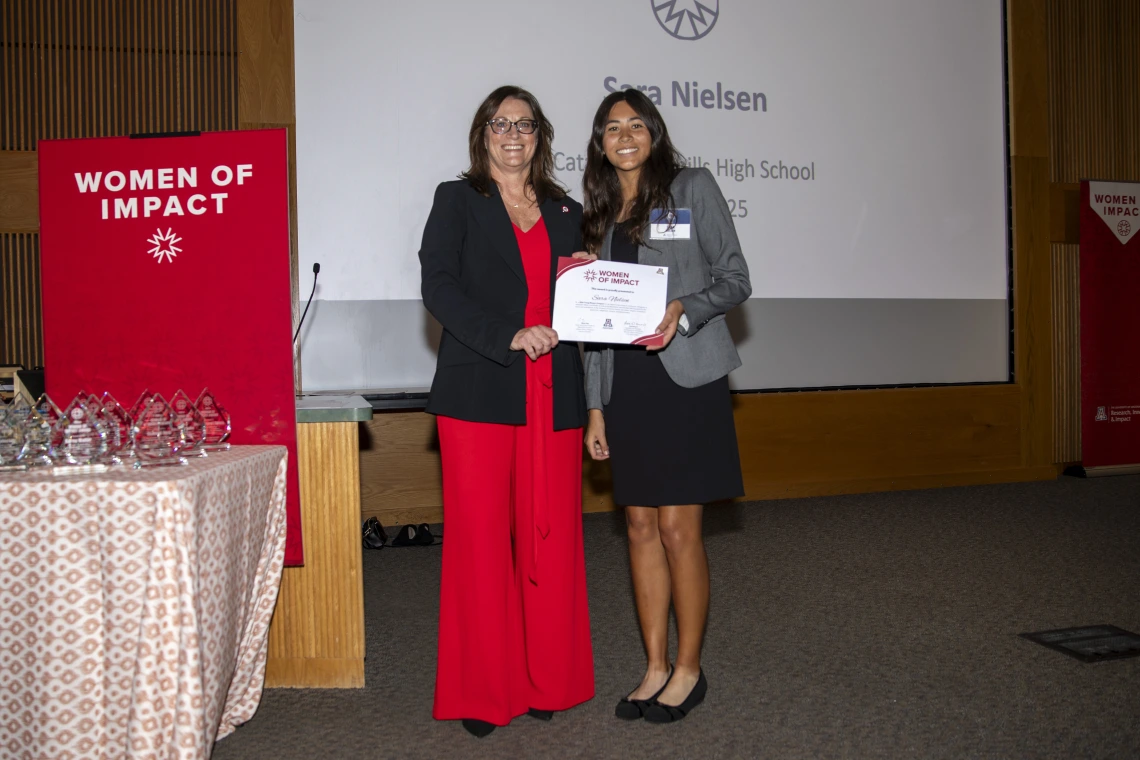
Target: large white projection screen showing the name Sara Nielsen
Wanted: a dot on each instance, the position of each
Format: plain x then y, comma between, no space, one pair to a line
861,145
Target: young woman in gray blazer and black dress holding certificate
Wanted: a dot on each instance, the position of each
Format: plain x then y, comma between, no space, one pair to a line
664,418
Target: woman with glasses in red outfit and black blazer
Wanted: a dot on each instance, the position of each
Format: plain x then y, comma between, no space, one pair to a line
514,625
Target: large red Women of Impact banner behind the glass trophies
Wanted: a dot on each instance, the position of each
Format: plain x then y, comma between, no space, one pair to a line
166,266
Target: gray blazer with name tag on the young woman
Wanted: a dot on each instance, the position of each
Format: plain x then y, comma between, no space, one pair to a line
707,273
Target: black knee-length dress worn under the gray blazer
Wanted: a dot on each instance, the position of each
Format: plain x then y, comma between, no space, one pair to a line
669,445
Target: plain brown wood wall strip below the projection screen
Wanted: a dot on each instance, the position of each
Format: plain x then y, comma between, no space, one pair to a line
792,445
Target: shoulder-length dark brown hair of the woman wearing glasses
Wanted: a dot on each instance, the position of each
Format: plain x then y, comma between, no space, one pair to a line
542,167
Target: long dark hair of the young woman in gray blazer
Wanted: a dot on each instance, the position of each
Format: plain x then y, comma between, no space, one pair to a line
601,186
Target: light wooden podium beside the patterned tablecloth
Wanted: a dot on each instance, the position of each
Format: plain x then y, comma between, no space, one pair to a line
316,640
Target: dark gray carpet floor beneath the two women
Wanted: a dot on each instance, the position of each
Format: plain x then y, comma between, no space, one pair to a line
875,626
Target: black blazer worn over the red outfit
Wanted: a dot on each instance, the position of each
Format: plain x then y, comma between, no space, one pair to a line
475,285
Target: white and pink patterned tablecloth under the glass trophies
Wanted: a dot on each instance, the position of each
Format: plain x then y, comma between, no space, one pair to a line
135,606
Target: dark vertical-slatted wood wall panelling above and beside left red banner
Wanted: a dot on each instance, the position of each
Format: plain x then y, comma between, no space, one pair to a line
100,69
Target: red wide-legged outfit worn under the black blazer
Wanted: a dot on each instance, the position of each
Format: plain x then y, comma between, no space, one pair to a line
514,622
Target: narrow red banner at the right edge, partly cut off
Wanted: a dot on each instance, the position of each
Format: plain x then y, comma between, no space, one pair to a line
1110,324
